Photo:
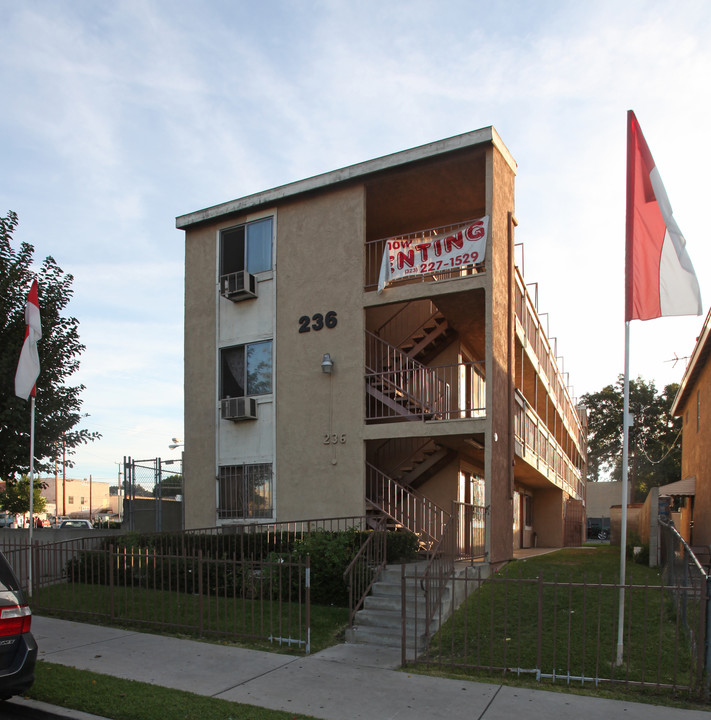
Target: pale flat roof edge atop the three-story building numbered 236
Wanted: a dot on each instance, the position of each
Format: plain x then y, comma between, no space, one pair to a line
403,157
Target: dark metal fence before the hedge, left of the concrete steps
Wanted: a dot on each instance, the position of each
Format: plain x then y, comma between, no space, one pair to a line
194,583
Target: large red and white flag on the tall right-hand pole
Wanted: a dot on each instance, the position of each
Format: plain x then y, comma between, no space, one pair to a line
659,279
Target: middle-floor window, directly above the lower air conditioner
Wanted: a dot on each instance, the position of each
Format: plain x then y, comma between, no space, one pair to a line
246,370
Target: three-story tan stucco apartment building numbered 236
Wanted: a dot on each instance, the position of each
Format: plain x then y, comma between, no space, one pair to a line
309,394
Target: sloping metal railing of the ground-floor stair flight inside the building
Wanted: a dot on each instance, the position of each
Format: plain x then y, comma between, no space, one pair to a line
407,507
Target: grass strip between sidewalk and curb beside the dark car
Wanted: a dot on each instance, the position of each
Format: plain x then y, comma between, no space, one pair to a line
130,700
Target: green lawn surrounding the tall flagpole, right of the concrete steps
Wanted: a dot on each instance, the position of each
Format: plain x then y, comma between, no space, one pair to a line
556,615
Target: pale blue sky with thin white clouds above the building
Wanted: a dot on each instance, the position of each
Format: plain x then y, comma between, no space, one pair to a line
118,117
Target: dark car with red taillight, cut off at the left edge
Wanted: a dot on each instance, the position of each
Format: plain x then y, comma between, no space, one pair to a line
18,649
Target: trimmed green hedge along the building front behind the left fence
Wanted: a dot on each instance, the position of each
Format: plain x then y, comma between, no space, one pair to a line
245,565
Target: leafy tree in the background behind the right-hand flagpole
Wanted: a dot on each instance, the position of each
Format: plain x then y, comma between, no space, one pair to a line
654,436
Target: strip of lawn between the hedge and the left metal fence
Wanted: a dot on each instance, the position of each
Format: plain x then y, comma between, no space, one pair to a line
244,622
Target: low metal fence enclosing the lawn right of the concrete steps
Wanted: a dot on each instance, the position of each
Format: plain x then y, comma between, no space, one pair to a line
563,631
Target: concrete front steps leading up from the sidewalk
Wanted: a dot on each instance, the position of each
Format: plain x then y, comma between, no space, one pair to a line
379,622
